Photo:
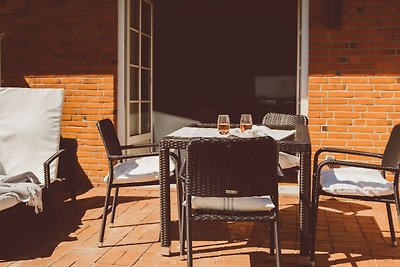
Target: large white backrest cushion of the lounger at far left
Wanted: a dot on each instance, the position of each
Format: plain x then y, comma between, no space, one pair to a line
30,123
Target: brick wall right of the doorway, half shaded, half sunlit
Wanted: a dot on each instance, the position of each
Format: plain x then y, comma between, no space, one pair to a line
354,82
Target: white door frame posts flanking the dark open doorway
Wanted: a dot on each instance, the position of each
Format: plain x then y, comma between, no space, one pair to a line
302,64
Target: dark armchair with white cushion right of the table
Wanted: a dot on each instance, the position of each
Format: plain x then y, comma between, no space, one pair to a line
359,180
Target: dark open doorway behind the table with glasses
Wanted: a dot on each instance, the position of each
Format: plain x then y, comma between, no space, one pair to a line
213,57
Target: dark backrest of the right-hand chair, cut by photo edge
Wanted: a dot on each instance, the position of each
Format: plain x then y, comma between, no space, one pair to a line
391,155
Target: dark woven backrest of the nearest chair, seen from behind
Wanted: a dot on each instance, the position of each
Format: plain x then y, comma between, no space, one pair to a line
232,167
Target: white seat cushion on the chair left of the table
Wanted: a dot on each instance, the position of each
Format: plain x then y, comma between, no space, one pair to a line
138,170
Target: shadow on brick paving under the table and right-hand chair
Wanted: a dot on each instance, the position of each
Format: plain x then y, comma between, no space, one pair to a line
342,231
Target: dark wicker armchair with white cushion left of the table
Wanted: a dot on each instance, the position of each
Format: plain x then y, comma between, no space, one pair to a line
129,169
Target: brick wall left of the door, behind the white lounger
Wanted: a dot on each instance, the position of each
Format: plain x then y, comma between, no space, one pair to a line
72,45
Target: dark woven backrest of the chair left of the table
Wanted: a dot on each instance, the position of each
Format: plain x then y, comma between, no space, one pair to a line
109,137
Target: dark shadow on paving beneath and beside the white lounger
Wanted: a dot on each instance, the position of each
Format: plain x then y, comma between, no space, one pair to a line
26,235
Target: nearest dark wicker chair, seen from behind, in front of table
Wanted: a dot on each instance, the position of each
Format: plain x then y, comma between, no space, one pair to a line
220,173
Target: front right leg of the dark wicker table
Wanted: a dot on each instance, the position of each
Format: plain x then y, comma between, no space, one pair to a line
305,204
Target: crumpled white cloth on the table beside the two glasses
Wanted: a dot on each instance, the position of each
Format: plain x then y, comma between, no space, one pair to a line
259,131
